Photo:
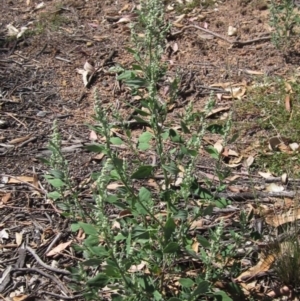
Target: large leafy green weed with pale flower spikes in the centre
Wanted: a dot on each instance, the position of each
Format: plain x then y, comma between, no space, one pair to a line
138,256
